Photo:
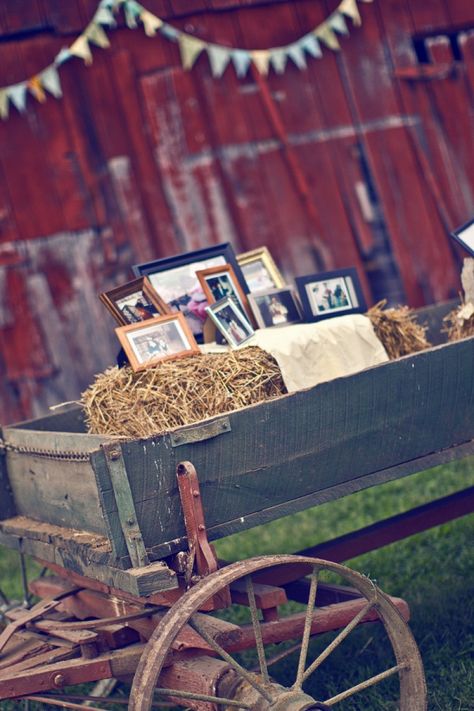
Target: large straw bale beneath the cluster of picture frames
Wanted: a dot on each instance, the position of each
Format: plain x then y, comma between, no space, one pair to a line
179,392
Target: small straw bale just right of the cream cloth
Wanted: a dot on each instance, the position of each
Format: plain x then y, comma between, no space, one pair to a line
397,329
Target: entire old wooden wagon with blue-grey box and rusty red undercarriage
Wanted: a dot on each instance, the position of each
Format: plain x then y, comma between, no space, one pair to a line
124,528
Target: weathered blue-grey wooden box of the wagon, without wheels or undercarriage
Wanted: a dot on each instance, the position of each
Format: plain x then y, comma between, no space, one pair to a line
110,508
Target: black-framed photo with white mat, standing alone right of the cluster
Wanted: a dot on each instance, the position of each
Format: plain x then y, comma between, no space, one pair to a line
331,294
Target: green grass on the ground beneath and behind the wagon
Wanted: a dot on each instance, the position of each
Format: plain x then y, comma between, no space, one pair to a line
433,571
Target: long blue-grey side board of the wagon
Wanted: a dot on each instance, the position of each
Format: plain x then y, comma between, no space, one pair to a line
333,434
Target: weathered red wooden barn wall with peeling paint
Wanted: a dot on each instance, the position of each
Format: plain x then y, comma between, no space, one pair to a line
365,159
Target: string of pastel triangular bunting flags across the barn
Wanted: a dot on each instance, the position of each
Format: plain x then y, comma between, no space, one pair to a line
48,81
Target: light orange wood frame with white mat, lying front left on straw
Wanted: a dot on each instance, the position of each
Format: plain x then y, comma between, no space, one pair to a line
162,338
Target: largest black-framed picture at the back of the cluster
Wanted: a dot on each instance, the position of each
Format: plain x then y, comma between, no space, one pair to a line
175,280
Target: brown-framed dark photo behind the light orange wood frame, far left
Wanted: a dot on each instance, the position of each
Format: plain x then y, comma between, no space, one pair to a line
134,301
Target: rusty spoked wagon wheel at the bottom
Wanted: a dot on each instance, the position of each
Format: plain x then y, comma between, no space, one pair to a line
246,689
